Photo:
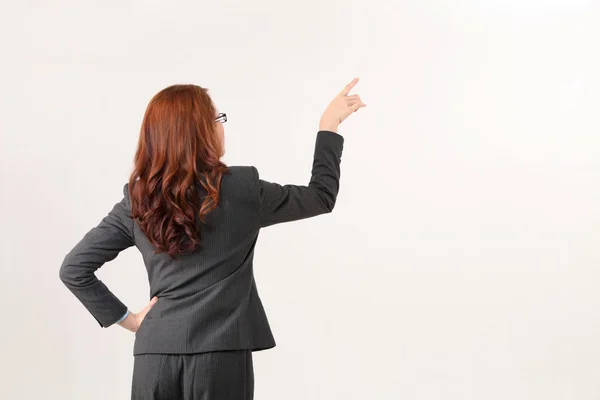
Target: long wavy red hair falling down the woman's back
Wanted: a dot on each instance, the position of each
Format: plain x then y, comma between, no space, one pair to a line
178,152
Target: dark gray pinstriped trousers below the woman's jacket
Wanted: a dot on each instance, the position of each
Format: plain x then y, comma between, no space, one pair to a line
218,375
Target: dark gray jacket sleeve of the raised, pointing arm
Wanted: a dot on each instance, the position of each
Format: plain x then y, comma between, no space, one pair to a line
285,203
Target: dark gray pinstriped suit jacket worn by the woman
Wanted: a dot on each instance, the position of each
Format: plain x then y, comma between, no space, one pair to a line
208,299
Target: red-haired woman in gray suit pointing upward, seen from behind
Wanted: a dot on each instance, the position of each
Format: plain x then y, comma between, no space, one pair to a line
196,222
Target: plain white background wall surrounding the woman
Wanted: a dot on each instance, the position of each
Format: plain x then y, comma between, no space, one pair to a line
462,258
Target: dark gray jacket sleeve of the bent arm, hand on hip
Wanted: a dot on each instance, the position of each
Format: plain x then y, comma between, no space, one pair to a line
99,245
